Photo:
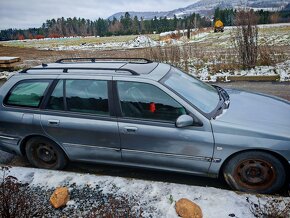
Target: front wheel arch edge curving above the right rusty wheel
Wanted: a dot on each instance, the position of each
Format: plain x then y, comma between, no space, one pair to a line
275,154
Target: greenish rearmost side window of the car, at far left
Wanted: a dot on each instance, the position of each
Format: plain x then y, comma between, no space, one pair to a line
27,93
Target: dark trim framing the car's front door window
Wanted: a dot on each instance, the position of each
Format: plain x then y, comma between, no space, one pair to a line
119,107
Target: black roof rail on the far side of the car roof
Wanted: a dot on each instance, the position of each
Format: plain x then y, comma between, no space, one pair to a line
93,60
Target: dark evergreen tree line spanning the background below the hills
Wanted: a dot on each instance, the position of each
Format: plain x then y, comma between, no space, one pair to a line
128,25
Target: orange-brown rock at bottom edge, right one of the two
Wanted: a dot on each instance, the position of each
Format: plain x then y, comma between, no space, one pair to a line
187,209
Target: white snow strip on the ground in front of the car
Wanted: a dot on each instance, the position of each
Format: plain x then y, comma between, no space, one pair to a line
153,197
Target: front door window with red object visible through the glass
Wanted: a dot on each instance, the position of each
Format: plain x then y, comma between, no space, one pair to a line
145,101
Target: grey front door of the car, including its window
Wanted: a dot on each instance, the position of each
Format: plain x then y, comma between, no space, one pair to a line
148,133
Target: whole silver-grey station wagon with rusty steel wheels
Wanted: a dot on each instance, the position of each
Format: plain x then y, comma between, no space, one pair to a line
136,112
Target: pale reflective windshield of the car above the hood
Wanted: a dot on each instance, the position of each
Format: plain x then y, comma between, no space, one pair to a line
198,93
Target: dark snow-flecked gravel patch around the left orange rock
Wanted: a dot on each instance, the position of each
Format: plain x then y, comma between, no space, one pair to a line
84,202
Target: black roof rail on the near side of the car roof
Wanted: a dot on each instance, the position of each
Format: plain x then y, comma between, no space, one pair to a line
66,69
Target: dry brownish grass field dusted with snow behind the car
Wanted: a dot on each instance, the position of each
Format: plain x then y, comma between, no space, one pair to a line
205,50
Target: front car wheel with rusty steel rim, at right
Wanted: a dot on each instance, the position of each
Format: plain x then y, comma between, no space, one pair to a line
255,171
